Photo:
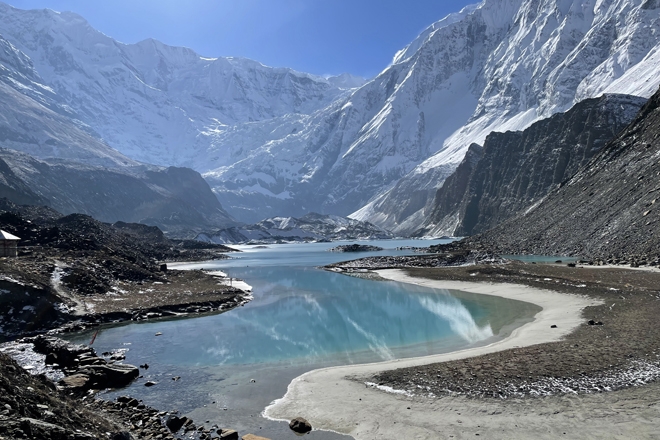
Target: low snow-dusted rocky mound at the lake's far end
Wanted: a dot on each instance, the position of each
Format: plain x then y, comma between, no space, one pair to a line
310,227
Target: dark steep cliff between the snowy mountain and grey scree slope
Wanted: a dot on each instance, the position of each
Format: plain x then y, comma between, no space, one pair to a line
518,169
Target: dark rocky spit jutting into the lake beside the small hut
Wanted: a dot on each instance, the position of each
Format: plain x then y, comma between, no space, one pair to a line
66,261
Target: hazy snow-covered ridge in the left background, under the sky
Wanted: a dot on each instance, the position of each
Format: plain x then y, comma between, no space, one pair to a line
156,103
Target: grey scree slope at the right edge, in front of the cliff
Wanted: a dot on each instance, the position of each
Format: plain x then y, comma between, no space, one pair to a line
608,209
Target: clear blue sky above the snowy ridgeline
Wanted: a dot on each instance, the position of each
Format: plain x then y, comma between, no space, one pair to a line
316,36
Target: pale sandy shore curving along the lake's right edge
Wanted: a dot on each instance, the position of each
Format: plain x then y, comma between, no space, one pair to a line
331,401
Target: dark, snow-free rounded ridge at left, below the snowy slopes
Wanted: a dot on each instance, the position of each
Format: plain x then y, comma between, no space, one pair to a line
178,200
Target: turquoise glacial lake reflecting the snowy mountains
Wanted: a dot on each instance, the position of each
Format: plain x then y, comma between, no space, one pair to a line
230,366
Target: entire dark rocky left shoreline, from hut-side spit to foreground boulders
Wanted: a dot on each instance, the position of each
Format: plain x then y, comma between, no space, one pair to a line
73,273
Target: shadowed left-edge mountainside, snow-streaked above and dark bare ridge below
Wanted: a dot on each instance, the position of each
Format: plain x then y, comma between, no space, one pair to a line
65,165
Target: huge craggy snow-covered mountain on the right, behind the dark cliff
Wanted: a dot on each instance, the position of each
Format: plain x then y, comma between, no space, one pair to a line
500,65
